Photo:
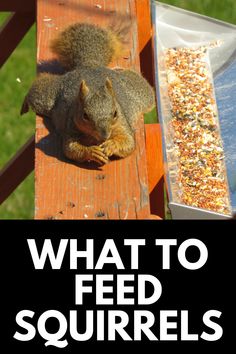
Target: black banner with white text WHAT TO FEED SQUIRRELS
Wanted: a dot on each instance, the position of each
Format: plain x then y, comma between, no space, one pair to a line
86,285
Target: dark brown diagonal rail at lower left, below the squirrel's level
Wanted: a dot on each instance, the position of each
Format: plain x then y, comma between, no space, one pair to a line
17,169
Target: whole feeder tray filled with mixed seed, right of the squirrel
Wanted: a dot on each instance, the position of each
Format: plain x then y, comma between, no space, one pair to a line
180,36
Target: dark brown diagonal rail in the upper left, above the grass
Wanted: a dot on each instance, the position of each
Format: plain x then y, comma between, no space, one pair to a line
12,32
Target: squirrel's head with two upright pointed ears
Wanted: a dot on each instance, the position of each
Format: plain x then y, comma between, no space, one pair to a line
97,112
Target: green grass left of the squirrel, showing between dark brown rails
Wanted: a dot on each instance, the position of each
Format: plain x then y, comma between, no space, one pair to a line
15,130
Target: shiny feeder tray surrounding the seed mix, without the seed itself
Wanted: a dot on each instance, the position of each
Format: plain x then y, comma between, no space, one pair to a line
177,28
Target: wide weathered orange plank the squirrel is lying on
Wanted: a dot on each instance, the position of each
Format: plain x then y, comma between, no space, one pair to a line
64,190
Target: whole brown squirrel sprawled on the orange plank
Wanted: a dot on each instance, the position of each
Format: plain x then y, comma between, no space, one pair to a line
93,107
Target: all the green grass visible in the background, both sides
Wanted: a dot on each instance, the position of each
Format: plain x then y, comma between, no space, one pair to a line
15,130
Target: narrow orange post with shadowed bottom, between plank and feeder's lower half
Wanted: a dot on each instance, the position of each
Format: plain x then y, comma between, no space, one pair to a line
155,168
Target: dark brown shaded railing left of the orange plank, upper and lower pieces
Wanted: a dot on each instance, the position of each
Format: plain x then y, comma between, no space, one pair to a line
13,30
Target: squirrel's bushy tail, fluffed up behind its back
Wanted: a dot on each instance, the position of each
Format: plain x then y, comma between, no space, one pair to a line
83,44
